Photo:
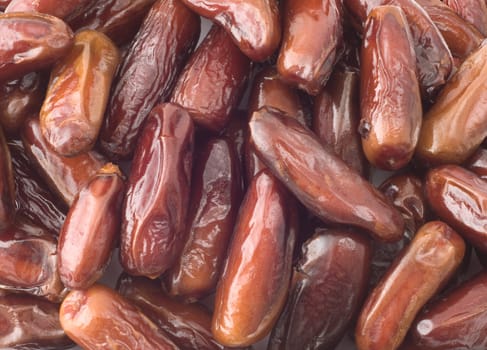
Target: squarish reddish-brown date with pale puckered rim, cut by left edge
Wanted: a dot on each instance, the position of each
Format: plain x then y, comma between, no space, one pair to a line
28,262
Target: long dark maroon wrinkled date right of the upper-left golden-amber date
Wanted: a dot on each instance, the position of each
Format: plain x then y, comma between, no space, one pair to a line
148,72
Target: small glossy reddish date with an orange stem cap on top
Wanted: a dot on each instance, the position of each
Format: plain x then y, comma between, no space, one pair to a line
91,229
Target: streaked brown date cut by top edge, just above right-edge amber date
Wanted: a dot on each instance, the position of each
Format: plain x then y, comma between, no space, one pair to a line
462,37
